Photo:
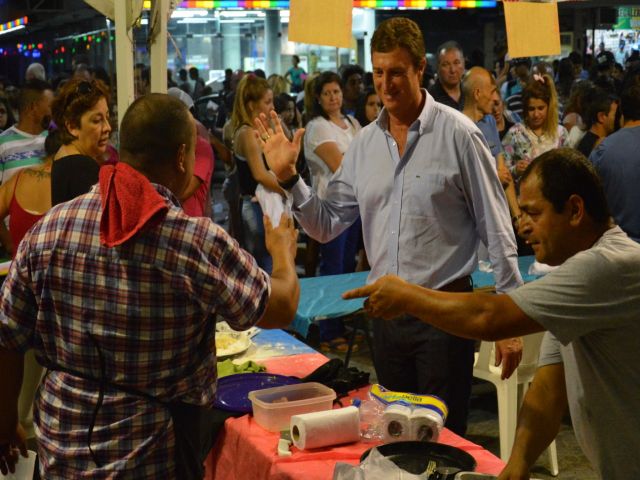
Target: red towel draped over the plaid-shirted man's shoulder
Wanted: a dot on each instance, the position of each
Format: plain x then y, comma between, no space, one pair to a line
129,204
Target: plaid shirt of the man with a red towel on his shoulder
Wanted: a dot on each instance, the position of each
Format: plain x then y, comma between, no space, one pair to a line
141,316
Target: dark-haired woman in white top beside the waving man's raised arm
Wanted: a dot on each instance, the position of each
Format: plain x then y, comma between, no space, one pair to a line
326,139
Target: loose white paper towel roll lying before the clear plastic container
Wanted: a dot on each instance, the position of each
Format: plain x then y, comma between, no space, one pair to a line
322,429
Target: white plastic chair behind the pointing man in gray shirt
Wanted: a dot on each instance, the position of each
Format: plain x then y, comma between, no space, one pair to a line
511,391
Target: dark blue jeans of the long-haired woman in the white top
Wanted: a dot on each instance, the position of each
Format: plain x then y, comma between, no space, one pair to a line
338,256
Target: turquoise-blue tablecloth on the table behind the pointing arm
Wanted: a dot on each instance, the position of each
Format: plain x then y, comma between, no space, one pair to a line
320,296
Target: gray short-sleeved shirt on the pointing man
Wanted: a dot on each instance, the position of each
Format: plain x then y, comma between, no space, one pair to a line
591,307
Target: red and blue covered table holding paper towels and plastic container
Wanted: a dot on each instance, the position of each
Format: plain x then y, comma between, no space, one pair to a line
245,450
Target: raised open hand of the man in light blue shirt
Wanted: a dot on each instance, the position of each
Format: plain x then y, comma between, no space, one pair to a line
280,153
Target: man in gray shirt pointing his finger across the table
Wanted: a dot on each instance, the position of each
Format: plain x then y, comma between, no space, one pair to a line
590,304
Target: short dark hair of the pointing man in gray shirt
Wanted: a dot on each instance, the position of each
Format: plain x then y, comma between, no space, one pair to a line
563,172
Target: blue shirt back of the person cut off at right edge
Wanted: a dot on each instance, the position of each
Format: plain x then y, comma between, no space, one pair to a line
616,160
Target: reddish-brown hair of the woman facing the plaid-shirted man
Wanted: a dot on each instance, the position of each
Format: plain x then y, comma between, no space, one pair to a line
76,97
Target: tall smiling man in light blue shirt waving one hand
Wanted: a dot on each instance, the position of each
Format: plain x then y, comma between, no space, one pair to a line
424,183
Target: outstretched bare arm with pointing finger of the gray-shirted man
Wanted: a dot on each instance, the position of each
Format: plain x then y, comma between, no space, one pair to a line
469,315
